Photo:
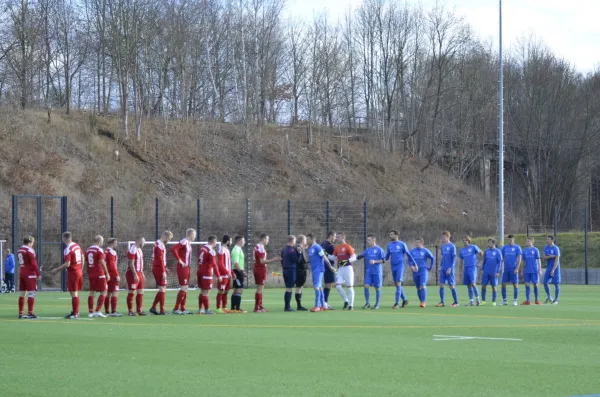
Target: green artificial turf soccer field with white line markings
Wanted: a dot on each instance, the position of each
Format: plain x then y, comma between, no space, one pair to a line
539,350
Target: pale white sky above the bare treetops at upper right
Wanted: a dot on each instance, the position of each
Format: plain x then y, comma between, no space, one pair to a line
568,27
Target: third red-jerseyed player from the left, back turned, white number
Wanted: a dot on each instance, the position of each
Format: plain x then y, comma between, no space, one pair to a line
95,264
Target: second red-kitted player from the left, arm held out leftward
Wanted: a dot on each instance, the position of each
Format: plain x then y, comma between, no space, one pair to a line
74,265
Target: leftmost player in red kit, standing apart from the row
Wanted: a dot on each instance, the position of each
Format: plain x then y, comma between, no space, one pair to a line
29,274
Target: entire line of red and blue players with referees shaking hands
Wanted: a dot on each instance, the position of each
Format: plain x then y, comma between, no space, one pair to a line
104,279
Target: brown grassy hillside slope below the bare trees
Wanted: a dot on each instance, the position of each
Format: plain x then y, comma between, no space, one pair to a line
179,161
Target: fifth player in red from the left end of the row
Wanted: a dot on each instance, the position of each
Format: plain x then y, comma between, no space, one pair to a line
135,277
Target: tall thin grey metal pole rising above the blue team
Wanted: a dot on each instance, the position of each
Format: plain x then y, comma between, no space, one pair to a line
500,135
